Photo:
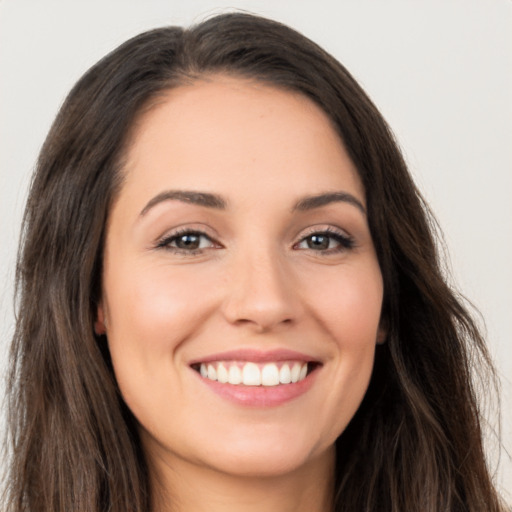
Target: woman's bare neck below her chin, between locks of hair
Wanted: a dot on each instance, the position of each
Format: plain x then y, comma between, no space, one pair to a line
185,487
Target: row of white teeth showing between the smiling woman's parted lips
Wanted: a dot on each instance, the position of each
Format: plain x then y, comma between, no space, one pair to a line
246,373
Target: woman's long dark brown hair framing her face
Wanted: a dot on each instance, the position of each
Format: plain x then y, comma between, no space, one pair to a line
415,443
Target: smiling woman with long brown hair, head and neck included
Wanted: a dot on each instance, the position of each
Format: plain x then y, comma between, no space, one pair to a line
230,295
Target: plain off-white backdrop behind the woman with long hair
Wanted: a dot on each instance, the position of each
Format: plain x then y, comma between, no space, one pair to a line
439,70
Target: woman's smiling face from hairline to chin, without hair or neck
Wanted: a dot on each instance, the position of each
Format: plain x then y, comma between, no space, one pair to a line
241,289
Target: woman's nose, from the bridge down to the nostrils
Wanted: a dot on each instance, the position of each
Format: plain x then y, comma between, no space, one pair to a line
261,292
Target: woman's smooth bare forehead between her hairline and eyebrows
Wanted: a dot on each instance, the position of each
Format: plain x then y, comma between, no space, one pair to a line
221,129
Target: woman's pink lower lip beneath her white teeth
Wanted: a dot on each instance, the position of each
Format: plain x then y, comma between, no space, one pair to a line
261,396
